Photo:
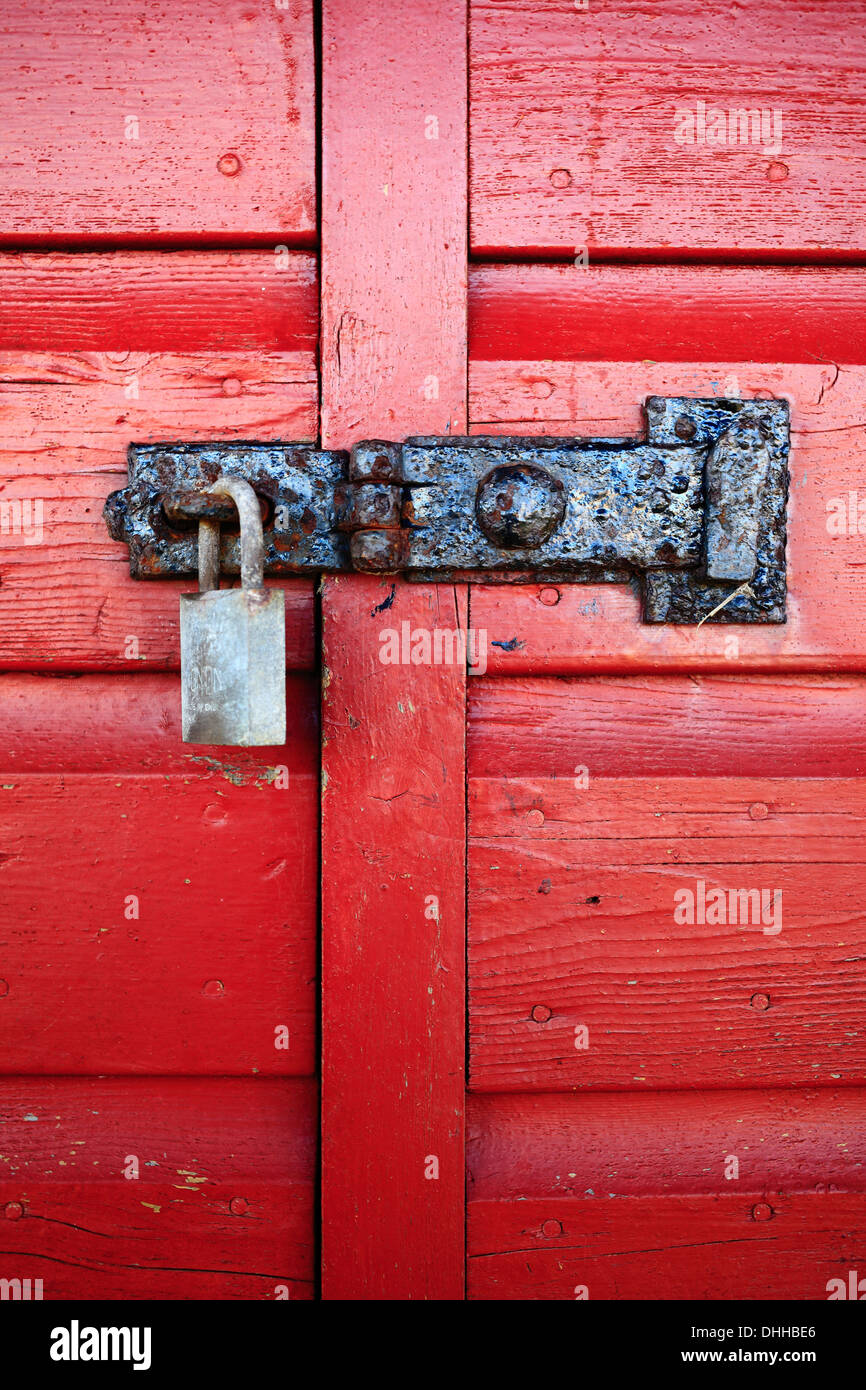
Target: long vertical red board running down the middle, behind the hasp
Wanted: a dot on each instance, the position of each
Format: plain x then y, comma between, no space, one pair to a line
394,831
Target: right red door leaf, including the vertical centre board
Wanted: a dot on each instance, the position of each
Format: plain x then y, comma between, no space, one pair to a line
654,1109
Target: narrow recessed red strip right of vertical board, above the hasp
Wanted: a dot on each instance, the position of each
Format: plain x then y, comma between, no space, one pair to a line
667,313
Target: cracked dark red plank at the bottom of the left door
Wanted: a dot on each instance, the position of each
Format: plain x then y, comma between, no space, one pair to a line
222,1209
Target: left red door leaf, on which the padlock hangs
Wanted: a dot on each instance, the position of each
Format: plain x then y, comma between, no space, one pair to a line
159,901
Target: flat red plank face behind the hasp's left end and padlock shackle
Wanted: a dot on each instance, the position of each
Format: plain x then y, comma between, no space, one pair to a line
66,597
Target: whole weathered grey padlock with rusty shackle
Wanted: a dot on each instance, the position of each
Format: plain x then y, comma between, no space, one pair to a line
233,641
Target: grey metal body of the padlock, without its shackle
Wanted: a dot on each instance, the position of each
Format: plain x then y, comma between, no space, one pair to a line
233,662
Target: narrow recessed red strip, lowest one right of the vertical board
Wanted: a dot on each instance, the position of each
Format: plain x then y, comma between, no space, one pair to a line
672,1145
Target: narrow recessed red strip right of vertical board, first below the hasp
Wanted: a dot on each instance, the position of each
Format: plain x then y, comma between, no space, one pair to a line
653,726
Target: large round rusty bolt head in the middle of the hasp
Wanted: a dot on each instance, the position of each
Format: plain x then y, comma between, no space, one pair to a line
521,505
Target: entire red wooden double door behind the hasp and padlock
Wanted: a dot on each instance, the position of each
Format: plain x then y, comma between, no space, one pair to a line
536,1082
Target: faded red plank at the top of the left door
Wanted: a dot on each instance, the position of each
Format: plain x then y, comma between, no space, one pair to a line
119,123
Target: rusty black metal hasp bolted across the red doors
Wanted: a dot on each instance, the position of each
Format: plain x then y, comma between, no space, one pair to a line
696,512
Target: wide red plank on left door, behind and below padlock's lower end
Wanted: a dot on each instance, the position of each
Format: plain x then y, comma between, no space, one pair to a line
159,904
